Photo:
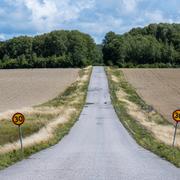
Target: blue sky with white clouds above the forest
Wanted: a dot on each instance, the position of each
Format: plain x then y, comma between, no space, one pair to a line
96,17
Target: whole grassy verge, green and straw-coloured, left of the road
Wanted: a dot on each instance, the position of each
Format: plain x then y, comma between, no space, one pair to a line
46,124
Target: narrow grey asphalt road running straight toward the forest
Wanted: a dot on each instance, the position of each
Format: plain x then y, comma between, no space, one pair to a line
97,148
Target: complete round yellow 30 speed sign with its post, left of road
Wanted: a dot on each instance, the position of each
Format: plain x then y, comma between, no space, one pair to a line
18,119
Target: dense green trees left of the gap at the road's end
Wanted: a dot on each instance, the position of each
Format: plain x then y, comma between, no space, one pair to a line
50,50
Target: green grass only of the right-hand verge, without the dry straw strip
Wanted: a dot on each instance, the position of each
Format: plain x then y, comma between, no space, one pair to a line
143,136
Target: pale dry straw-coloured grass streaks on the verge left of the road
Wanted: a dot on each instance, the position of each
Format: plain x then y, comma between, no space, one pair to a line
63,112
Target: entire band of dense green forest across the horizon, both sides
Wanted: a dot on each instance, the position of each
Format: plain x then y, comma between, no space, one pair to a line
157,45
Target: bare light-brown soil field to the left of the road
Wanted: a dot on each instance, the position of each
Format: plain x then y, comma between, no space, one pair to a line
24,88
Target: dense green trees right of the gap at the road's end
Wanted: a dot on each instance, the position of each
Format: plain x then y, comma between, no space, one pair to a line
157,45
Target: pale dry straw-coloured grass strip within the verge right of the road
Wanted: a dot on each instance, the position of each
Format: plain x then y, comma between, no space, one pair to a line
163,132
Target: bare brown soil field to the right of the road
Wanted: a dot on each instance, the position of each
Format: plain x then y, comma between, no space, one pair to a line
160,88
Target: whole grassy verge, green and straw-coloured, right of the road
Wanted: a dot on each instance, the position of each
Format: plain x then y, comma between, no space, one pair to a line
147,126
